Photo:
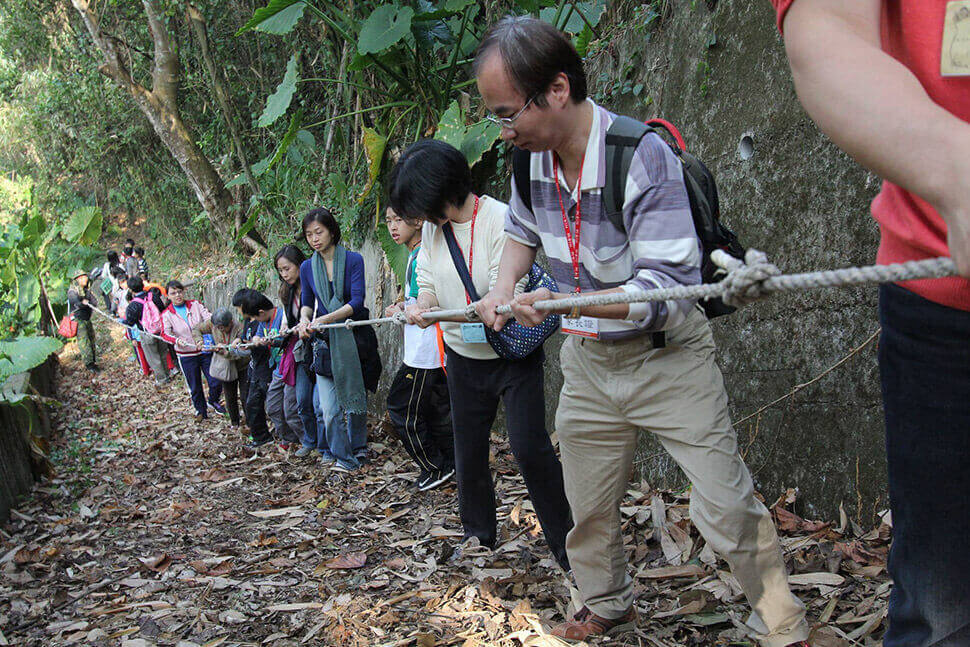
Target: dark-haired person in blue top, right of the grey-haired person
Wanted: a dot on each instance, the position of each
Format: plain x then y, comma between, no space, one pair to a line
264,359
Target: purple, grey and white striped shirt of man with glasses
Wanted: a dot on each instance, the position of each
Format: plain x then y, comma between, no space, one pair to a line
659,247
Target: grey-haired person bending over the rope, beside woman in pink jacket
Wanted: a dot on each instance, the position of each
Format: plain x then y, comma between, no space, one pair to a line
228,365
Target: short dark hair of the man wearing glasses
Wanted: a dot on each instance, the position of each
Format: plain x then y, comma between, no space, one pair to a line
533,53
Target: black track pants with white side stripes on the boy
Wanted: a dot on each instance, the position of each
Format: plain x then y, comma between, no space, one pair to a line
420,410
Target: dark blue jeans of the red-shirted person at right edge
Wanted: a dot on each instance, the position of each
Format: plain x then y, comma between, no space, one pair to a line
924,360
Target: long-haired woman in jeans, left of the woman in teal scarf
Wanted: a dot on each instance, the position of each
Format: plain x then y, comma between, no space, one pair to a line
287,262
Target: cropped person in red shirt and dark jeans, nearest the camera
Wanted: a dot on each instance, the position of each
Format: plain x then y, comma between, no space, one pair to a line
889,82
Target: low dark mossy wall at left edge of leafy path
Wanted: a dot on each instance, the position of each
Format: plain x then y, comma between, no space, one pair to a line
18,421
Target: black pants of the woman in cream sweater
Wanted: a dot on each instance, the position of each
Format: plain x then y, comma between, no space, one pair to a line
475,387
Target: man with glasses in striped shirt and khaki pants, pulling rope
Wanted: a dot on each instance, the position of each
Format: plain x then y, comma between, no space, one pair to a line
620,374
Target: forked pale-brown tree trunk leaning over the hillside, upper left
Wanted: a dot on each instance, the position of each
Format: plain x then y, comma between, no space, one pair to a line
160,106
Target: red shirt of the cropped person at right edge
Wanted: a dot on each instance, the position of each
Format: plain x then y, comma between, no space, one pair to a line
912,33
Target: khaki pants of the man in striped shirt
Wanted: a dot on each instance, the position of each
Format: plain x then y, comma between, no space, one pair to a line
611,391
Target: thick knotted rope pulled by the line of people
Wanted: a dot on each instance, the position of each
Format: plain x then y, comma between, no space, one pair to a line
744,282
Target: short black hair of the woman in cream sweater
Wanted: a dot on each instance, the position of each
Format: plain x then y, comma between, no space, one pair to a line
429,176
